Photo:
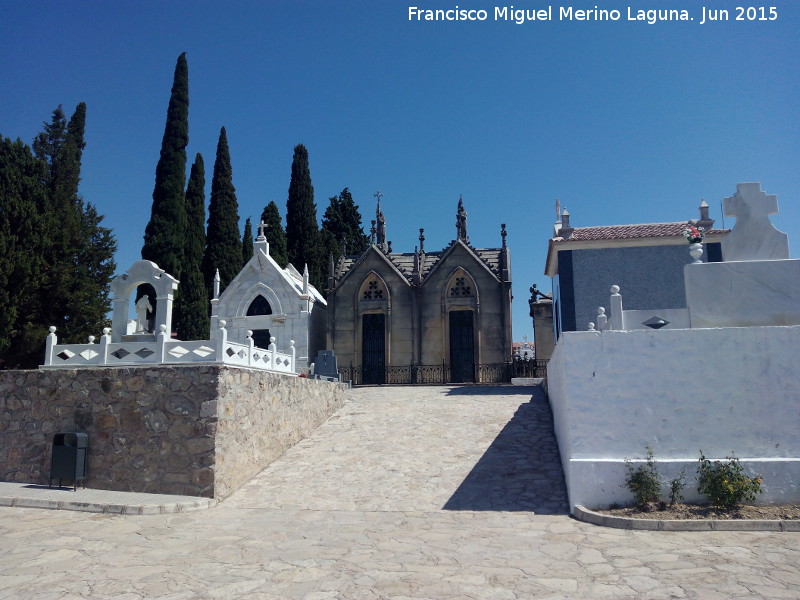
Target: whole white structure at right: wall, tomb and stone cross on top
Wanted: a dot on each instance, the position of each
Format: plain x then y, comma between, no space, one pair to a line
720,375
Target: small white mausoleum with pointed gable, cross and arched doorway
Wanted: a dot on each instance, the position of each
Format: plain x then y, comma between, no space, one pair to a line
272,302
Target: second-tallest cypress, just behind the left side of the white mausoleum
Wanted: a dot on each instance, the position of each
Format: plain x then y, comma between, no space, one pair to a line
223,244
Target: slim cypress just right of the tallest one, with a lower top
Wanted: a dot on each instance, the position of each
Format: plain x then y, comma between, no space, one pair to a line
192,294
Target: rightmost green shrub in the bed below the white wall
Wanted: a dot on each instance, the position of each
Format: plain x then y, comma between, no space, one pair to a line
725,483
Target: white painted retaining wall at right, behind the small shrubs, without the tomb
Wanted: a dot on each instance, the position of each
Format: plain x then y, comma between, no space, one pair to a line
677,391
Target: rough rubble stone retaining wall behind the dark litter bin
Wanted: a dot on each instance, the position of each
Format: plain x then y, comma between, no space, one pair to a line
194,430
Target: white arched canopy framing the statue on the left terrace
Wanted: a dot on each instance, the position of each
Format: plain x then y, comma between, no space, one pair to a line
123,286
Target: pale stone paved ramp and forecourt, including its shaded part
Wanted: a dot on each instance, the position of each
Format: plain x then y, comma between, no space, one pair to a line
380,503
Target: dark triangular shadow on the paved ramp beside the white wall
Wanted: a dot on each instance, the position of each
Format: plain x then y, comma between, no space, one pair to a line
521,470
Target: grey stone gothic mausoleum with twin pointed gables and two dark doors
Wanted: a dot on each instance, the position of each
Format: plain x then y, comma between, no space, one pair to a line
421,317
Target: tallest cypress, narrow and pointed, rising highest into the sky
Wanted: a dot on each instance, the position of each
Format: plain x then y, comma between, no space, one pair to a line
164,235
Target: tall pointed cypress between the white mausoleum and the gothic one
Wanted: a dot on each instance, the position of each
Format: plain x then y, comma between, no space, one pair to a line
302,231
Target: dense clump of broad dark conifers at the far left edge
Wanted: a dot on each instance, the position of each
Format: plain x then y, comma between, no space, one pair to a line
63,274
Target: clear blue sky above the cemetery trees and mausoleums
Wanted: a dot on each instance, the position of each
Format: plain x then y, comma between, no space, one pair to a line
624,121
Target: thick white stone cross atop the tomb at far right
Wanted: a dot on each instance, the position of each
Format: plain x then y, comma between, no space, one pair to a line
753,237
